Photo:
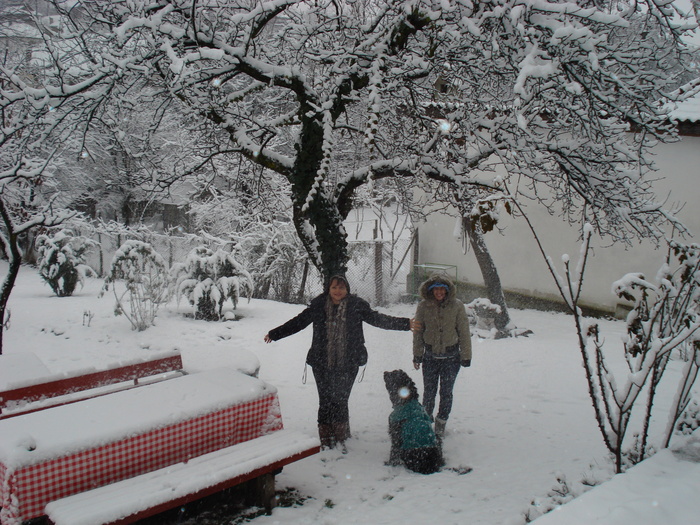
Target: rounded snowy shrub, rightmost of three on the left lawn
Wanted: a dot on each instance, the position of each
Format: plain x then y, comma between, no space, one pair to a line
207,279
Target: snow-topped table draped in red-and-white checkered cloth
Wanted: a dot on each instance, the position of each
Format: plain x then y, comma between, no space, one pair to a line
55,453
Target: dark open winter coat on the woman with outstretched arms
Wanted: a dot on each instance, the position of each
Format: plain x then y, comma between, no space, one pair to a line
358,311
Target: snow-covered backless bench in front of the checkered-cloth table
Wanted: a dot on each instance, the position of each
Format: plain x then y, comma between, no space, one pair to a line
136,498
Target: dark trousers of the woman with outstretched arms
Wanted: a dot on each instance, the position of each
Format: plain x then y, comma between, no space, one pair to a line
334,387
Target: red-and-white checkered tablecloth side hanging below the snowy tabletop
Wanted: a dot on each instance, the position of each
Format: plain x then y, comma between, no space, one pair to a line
26,490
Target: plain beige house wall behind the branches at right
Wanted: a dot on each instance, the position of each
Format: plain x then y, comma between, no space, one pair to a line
521,265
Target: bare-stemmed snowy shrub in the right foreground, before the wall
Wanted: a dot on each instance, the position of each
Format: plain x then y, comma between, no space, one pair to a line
665,317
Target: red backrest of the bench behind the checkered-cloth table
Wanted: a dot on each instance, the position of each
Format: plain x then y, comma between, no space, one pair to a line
84,382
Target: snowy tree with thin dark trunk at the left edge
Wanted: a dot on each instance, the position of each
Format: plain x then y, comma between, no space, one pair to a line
28,196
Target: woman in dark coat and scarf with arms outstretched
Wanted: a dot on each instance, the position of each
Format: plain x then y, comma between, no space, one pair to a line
337,351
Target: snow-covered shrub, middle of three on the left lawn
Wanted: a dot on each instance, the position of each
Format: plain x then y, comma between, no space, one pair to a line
145,279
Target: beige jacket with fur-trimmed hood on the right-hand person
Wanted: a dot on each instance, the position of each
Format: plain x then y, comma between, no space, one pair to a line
444,324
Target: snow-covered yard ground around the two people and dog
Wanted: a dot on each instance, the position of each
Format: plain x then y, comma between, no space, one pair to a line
521,419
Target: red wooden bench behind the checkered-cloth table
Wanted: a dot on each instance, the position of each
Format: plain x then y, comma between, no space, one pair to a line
17,398
